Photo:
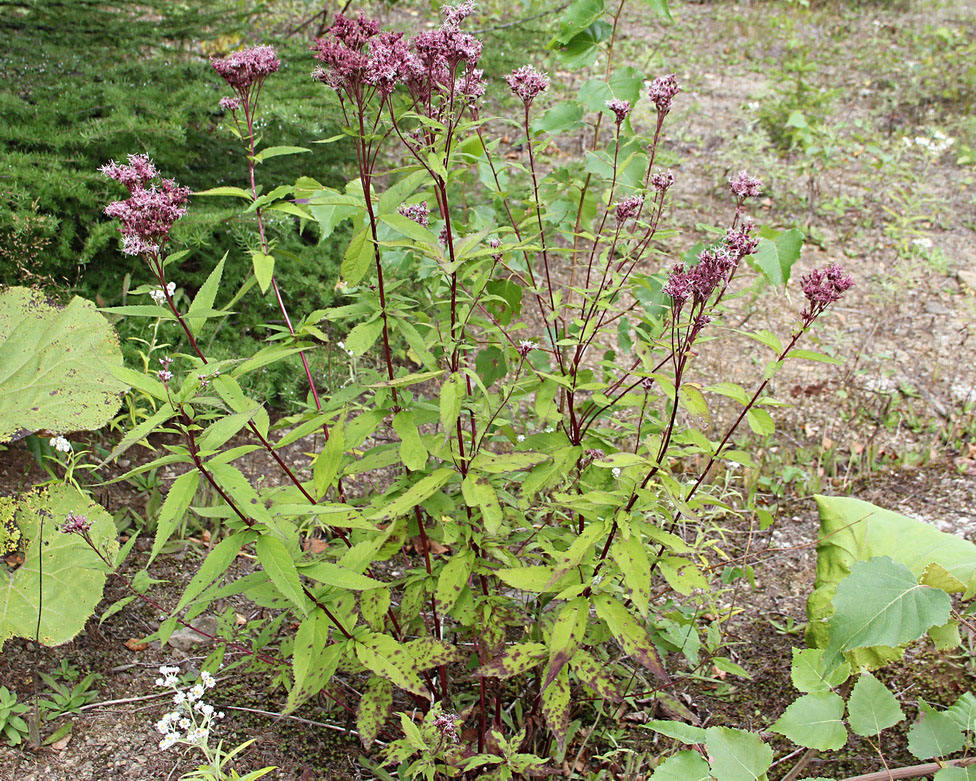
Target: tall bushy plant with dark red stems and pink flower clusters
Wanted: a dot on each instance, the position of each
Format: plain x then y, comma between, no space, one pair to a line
512,496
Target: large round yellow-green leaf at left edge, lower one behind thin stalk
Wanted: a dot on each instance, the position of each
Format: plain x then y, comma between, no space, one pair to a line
73,575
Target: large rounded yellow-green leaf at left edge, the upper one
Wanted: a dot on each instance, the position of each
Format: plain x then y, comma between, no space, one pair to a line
55,365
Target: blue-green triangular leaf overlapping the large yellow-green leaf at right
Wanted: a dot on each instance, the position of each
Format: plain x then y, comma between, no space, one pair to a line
881,603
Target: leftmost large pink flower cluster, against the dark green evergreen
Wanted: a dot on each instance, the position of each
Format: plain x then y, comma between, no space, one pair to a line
153,206
